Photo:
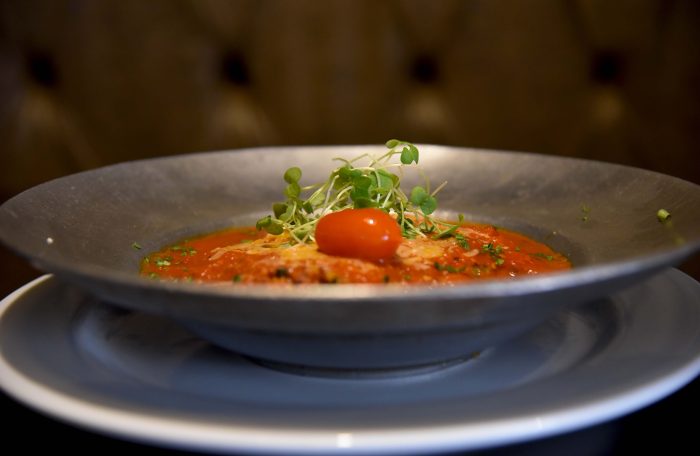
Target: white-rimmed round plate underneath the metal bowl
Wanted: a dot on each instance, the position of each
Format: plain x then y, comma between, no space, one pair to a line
144,378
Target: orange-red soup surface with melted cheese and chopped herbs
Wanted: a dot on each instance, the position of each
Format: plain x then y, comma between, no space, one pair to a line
246,255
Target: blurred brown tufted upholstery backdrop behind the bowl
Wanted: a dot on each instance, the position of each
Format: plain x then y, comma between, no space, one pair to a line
87,83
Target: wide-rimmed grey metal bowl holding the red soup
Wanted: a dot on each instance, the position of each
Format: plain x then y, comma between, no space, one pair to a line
602,216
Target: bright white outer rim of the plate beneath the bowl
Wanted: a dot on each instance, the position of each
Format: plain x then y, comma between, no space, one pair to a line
172,432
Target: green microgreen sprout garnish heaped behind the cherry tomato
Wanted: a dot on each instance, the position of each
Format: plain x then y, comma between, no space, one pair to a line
353,186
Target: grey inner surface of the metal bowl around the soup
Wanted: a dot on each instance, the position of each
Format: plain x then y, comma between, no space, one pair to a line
593,212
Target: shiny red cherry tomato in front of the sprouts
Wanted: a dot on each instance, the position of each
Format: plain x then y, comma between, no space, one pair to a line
368,234
